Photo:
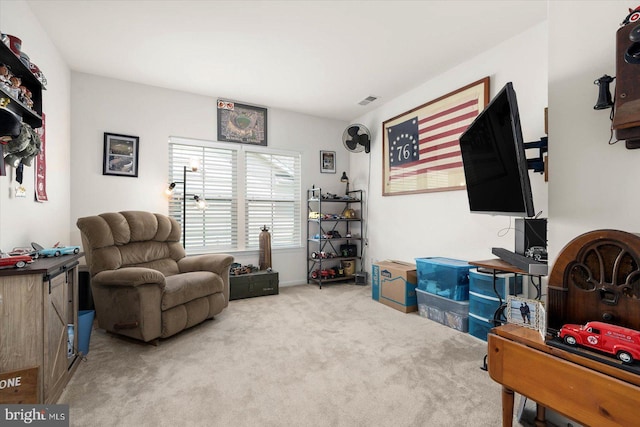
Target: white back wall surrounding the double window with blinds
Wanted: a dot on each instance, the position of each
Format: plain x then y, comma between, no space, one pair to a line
106,105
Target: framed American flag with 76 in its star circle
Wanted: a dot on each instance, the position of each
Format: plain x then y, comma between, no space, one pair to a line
421,152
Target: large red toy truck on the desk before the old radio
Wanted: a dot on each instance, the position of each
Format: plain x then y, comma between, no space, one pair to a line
624,343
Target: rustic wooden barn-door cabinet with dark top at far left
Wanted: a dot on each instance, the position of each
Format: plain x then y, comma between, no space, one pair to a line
38,308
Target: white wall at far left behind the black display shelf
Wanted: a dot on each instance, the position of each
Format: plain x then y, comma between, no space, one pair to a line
22,220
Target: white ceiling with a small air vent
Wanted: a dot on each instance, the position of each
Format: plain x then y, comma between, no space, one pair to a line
315,57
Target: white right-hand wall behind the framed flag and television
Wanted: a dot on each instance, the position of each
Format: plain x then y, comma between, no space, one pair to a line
439,224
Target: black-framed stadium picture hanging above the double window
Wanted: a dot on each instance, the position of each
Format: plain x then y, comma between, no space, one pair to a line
241,123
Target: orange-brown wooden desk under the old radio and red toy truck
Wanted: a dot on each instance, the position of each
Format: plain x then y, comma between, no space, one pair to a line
584,390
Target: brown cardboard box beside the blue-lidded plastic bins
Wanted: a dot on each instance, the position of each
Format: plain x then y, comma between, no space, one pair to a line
393,283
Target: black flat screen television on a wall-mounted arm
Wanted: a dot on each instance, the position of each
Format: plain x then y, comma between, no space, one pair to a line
494,160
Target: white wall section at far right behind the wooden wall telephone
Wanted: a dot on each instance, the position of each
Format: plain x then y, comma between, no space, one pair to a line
593,185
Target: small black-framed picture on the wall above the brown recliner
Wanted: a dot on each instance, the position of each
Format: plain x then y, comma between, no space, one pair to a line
120,155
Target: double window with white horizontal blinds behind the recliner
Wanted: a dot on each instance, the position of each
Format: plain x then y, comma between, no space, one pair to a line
245,188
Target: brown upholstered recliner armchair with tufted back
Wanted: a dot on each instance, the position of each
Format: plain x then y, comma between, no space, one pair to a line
144,286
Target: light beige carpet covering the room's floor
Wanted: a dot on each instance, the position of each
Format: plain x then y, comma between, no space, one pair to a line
306,357
